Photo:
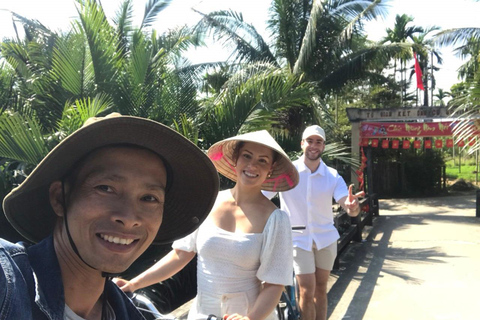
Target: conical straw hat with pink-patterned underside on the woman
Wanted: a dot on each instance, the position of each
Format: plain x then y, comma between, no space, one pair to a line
284,175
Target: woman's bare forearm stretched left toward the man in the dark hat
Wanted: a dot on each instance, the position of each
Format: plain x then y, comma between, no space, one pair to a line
169,265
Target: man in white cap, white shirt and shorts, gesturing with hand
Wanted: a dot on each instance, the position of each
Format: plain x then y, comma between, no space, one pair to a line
309,204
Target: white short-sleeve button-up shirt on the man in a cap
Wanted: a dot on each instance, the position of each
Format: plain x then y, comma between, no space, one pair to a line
309,204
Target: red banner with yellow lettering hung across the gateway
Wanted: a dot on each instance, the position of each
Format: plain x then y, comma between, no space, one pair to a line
405,129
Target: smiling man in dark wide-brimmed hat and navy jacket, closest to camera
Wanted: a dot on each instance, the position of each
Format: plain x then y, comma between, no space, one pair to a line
94,204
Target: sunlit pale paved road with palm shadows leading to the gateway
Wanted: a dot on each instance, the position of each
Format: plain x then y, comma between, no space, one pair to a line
420,261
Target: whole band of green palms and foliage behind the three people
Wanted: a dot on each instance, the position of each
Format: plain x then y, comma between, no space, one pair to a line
318,63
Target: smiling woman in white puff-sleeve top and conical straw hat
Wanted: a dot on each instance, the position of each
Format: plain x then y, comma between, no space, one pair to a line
244,245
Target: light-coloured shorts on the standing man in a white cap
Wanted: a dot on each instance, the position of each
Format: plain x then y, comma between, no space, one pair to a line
305,262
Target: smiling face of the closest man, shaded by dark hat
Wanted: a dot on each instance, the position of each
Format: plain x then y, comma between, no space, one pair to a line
115,207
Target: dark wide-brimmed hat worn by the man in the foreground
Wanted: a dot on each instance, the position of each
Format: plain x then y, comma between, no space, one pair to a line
192,186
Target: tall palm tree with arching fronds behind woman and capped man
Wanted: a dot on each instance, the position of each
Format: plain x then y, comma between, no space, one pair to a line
320,42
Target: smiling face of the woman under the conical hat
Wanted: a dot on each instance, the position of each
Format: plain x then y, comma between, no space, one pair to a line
254,163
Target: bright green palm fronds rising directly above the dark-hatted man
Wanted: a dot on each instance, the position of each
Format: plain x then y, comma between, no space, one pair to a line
53,82
